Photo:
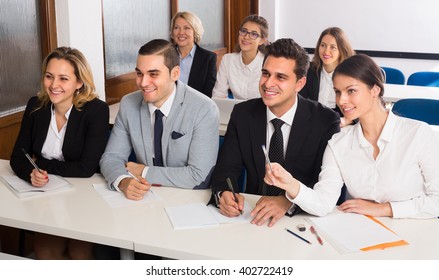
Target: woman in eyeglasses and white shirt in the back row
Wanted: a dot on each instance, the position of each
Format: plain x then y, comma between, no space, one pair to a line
239,72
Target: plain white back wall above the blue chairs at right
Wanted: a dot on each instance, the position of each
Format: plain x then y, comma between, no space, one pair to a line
378,25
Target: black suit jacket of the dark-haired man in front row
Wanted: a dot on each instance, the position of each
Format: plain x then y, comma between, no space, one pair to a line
312,127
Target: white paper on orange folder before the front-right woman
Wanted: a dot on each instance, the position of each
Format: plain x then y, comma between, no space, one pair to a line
350,232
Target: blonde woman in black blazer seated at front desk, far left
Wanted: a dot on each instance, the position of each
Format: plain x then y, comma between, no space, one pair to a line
65,130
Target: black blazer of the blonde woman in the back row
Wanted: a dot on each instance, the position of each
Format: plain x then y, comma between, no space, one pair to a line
203,71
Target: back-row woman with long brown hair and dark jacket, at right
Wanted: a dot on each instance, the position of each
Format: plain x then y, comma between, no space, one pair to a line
331,49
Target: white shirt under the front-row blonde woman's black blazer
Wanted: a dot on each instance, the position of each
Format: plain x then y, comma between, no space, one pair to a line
52,147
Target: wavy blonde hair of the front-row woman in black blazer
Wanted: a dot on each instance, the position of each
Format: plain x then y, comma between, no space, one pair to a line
82,72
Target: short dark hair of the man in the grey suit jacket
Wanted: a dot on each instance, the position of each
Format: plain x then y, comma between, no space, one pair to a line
164,48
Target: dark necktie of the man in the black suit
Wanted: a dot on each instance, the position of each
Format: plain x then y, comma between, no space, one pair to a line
276,152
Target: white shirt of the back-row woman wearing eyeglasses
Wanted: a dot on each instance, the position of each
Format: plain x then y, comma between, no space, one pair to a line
241,79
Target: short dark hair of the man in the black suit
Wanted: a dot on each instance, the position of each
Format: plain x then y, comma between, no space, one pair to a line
289,49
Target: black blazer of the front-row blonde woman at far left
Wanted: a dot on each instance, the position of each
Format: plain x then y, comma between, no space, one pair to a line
84,141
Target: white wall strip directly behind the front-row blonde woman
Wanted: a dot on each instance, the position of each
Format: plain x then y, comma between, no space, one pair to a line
79,25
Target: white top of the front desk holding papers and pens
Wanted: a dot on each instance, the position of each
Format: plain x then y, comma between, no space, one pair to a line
83,214
